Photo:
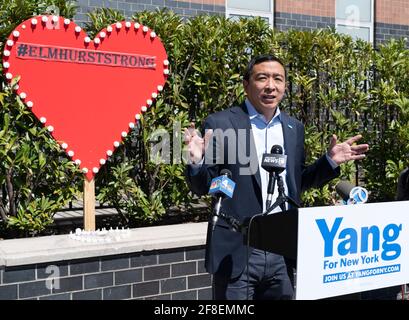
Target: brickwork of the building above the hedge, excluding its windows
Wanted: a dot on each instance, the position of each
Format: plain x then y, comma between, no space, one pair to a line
391,16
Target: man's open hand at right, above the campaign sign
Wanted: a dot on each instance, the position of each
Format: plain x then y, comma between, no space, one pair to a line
348,150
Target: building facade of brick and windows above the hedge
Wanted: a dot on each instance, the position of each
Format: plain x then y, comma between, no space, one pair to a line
375,21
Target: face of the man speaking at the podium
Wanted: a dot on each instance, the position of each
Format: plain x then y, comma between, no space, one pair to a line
266,87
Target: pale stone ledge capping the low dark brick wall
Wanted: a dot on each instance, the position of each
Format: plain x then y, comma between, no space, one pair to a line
15,252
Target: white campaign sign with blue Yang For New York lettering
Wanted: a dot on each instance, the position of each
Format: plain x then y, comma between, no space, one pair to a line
355,248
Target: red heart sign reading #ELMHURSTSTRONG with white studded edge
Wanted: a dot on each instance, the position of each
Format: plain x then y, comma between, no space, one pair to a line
88,93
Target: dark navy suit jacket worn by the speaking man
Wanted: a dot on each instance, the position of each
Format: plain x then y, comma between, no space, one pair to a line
225,252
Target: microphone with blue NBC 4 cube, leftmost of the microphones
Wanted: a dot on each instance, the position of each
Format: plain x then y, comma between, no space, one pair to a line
221,187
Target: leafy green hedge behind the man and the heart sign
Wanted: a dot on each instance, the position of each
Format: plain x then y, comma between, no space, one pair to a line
336,85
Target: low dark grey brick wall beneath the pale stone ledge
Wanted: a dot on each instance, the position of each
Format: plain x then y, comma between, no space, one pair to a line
173,274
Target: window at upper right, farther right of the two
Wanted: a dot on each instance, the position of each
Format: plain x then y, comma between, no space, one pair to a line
355,18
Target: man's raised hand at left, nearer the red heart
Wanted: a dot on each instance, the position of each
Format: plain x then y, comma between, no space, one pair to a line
196,144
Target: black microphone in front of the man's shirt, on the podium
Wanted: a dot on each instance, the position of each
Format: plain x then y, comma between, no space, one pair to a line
275,163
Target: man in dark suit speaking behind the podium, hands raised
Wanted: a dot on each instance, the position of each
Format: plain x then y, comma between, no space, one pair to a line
235,139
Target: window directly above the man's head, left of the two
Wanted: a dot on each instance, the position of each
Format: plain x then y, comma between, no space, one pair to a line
244,8
